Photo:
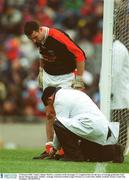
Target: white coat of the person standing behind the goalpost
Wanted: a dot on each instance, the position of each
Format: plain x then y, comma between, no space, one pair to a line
120,76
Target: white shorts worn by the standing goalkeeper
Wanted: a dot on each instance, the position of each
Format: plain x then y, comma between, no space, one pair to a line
64,81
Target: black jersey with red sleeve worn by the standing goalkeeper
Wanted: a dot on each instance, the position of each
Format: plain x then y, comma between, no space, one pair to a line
60,53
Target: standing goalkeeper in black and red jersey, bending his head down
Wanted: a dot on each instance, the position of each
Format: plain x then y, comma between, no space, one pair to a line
60,58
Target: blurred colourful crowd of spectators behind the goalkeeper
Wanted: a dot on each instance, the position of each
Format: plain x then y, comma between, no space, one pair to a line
19,59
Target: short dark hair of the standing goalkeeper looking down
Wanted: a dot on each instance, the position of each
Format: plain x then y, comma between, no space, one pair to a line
31,26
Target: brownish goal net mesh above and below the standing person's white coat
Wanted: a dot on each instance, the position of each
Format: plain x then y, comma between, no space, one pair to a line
121,32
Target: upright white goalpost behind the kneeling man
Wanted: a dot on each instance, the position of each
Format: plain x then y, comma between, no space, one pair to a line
105,83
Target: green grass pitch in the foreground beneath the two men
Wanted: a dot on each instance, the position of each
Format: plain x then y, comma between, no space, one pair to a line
20,161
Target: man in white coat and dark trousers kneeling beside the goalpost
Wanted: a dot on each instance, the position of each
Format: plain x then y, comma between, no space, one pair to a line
81,129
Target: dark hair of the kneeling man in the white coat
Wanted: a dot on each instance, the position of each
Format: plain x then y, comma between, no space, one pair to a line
47,93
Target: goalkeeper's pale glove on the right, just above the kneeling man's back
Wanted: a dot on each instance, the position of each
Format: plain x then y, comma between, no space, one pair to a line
78,83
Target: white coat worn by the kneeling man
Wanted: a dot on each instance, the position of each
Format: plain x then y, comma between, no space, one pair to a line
78,113
